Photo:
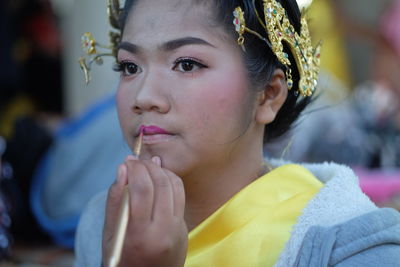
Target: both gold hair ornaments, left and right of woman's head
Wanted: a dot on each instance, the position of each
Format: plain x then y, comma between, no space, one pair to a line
276,24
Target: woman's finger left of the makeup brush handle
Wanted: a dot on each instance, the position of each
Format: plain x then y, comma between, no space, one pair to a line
114,200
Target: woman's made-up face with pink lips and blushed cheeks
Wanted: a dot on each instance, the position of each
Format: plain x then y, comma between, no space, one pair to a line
185,82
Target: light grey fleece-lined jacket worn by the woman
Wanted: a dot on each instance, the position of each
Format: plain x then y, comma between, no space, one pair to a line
340,227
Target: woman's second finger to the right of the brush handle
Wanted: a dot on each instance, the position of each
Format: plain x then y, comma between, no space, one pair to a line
163,193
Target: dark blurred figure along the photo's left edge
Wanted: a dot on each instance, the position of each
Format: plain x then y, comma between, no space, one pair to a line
30,100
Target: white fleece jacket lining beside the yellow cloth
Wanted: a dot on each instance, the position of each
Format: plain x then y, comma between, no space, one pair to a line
338,201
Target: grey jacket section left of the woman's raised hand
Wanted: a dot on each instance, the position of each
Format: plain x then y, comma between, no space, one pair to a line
89,233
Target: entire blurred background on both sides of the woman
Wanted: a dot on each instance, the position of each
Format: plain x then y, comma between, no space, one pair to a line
60,141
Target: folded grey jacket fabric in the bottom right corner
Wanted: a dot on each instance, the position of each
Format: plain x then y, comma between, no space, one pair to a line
372,239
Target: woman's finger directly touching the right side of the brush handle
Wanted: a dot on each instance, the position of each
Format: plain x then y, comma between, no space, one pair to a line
141,192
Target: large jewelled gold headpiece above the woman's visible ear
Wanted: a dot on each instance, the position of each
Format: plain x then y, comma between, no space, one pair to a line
280,31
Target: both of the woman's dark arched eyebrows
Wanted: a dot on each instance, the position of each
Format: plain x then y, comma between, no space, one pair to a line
167,46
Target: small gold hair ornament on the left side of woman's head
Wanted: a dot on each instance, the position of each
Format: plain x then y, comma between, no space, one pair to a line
90,45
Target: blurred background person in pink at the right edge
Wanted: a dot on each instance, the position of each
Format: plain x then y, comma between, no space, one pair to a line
377,100
